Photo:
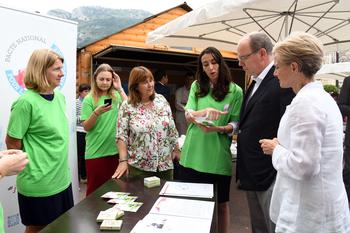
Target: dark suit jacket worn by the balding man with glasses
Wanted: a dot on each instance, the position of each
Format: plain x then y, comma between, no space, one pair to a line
259,119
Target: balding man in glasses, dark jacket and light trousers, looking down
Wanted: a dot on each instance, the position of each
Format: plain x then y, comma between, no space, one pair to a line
263,106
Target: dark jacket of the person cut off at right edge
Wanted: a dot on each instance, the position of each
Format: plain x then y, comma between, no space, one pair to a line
344,106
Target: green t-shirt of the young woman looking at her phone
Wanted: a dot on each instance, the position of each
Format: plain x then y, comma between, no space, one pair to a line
101,139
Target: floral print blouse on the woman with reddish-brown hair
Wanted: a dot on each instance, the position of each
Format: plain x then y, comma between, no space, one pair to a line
149,133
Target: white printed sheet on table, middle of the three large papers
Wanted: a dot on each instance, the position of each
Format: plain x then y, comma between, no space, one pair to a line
183,207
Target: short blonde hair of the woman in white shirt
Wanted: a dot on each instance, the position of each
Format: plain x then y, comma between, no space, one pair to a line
304,49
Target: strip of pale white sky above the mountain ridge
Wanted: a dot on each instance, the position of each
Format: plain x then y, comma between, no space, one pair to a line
153,6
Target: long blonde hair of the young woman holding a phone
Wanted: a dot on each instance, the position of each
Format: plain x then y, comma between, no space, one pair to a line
95,91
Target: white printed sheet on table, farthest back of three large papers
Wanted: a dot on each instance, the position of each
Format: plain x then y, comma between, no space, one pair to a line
184,189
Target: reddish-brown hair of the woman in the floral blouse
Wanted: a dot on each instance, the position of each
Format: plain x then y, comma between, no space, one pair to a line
137,75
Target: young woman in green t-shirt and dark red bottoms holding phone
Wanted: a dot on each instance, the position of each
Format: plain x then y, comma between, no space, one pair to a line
99,116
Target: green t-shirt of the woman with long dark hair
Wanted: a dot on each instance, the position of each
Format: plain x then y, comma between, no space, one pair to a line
210,152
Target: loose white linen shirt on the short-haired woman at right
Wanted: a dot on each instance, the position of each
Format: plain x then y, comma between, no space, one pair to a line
309,194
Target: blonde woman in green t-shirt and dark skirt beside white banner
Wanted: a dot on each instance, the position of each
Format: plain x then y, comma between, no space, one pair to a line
39,125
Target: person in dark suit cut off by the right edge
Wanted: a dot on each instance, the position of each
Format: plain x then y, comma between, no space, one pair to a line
344,105
